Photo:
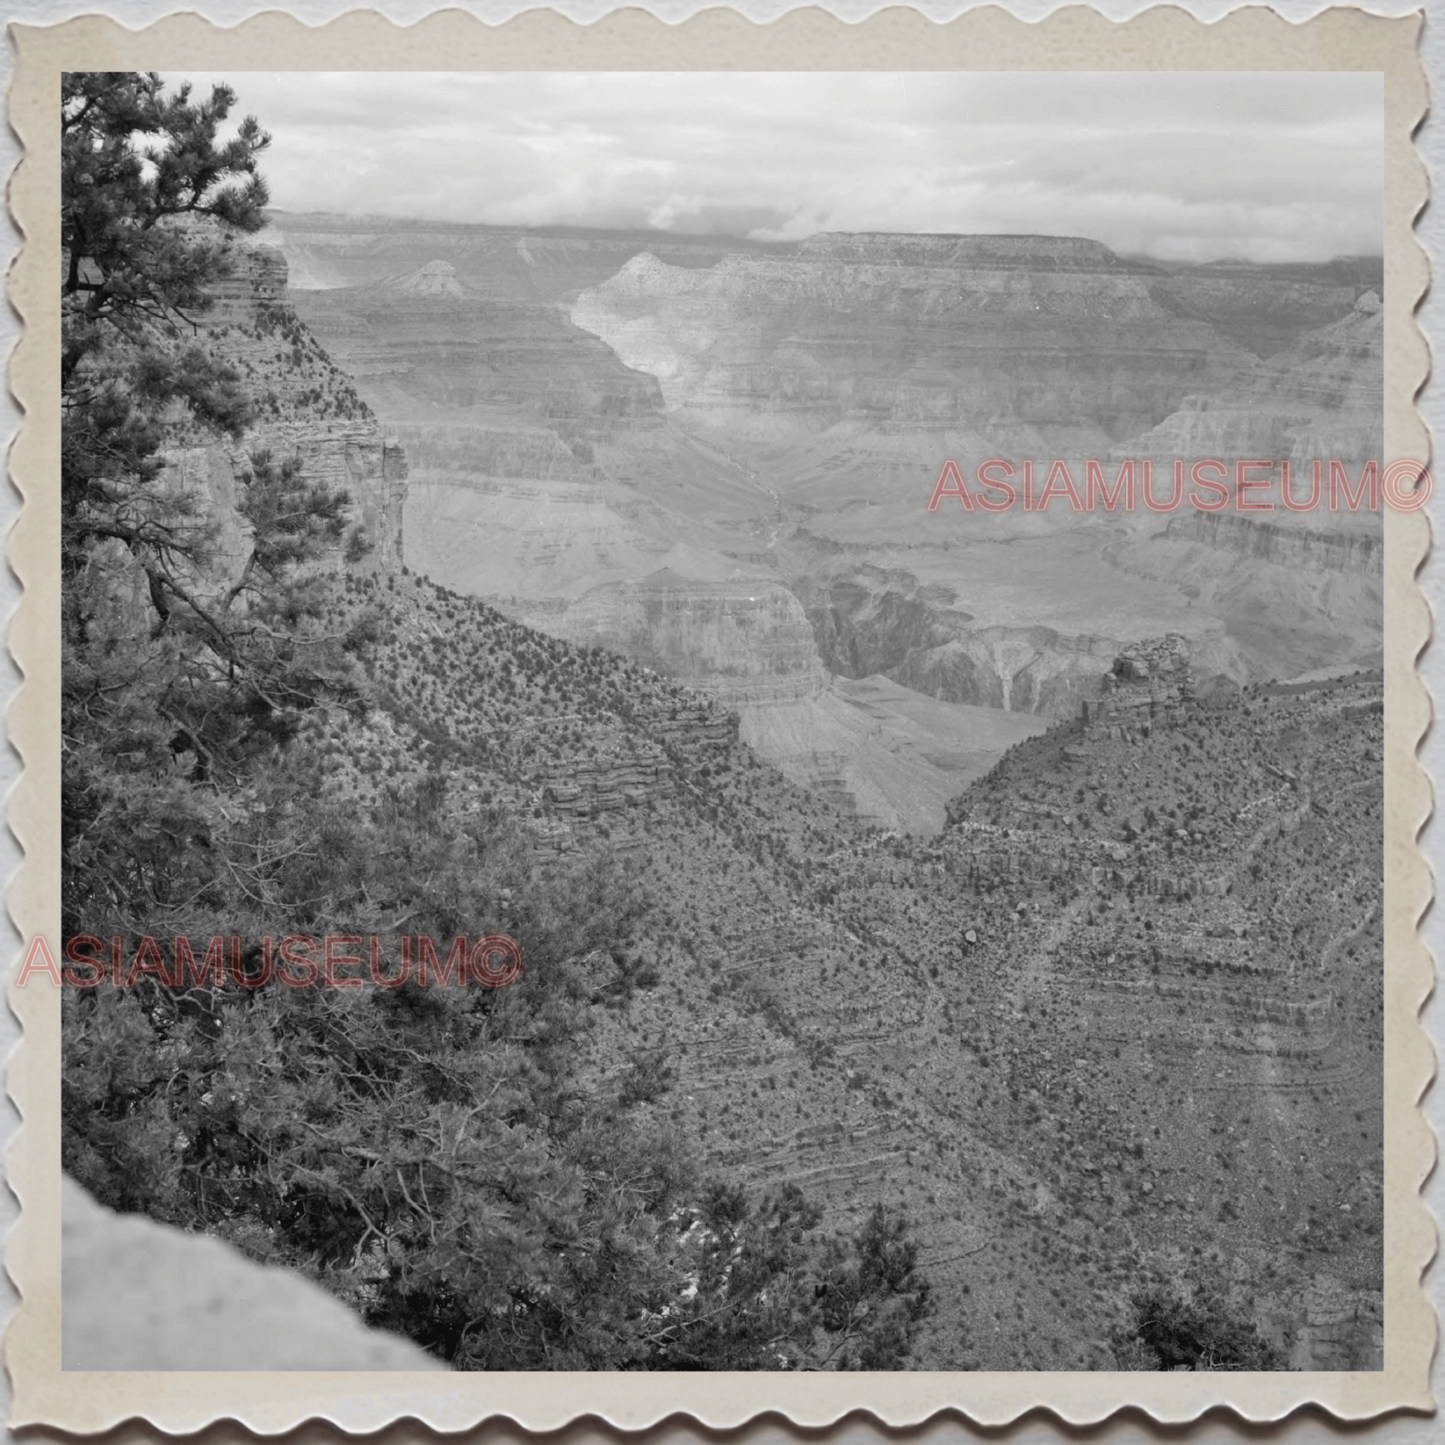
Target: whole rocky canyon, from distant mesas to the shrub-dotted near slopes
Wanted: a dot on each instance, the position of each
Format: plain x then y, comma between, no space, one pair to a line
1116,1019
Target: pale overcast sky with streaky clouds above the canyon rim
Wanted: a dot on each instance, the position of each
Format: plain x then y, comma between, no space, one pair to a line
1261,167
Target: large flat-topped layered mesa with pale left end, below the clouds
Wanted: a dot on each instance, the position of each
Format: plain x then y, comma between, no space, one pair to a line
1032,343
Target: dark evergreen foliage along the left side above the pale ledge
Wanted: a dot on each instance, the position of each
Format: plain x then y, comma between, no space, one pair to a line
433,1157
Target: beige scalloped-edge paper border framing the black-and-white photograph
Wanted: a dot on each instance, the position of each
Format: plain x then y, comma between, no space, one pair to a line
1164,38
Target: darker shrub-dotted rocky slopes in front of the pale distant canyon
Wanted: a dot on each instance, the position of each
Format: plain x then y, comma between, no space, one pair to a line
1080,1037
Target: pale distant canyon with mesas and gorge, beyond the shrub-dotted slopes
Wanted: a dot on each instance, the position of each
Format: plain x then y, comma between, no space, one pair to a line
717,456
